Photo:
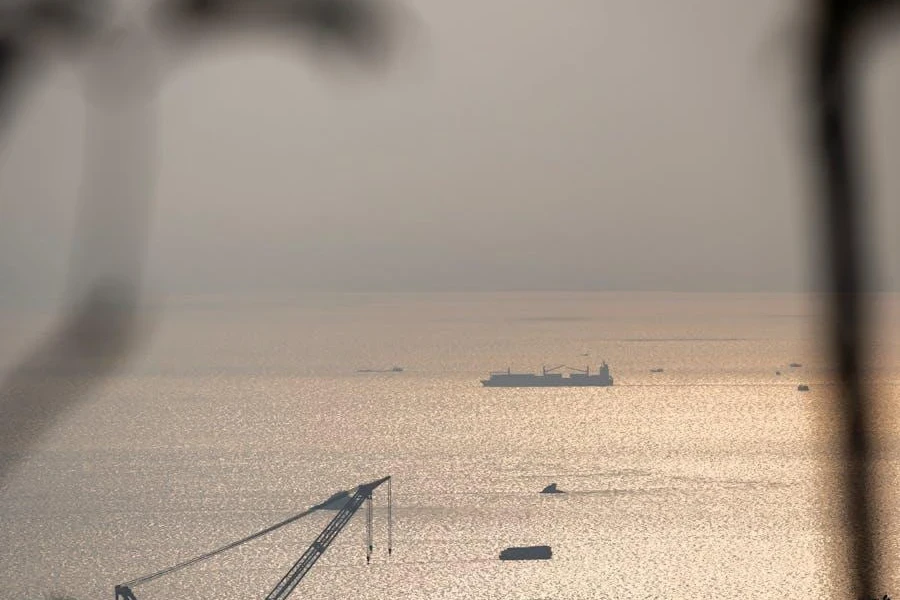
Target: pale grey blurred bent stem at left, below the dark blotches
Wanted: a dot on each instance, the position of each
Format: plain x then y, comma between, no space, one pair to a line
102,325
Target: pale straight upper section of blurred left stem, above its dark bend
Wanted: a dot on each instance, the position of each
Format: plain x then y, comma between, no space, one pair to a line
119,168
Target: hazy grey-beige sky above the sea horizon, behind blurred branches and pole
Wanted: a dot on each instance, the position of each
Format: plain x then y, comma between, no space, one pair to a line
525,144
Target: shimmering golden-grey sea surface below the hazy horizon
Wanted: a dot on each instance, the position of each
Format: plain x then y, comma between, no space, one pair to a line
711,479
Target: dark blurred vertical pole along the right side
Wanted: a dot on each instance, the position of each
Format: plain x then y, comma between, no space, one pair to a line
834,108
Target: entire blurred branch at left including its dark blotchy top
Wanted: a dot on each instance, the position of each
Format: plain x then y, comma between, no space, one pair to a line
102,324
